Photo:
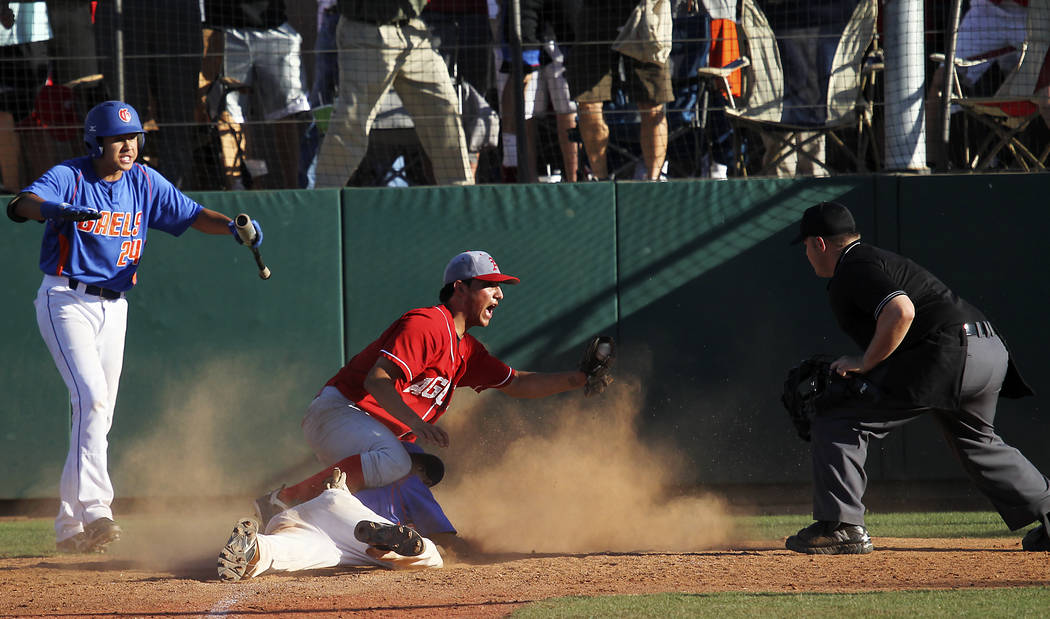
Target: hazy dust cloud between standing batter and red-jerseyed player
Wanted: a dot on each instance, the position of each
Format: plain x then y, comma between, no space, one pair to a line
195,473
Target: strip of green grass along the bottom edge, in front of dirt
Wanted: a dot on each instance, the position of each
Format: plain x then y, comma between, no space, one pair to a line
993,603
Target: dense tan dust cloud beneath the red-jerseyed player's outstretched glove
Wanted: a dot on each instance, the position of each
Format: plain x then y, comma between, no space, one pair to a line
575,479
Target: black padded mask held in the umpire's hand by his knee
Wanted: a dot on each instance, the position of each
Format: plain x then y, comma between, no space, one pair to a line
812,387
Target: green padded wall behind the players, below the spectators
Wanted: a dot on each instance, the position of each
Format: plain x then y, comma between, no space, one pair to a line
696,280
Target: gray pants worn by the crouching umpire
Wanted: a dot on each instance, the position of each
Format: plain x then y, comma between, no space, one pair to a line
1018,490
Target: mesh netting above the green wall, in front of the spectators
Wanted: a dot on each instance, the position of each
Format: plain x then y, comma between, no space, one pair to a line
268,95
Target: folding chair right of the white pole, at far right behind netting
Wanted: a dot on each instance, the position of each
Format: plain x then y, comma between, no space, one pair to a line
1007,115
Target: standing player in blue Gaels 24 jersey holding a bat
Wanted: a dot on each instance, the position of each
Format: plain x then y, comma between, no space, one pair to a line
97,210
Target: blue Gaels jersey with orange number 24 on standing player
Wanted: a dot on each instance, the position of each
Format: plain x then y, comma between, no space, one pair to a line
106,252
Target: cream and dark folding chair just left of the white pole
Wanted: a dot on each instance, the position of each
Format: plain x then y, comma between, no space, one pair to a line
806,81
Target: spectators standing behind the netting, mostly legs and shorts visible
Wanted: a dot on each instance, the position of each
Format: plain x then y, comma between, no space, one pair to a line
235,97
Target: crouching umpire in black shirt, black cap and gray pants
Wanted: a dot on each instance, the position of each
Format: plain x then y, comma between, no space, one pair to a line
929,352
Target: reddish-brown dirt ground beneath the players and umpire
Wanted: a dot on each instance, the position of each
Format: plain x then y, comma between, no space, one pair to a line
495,586
